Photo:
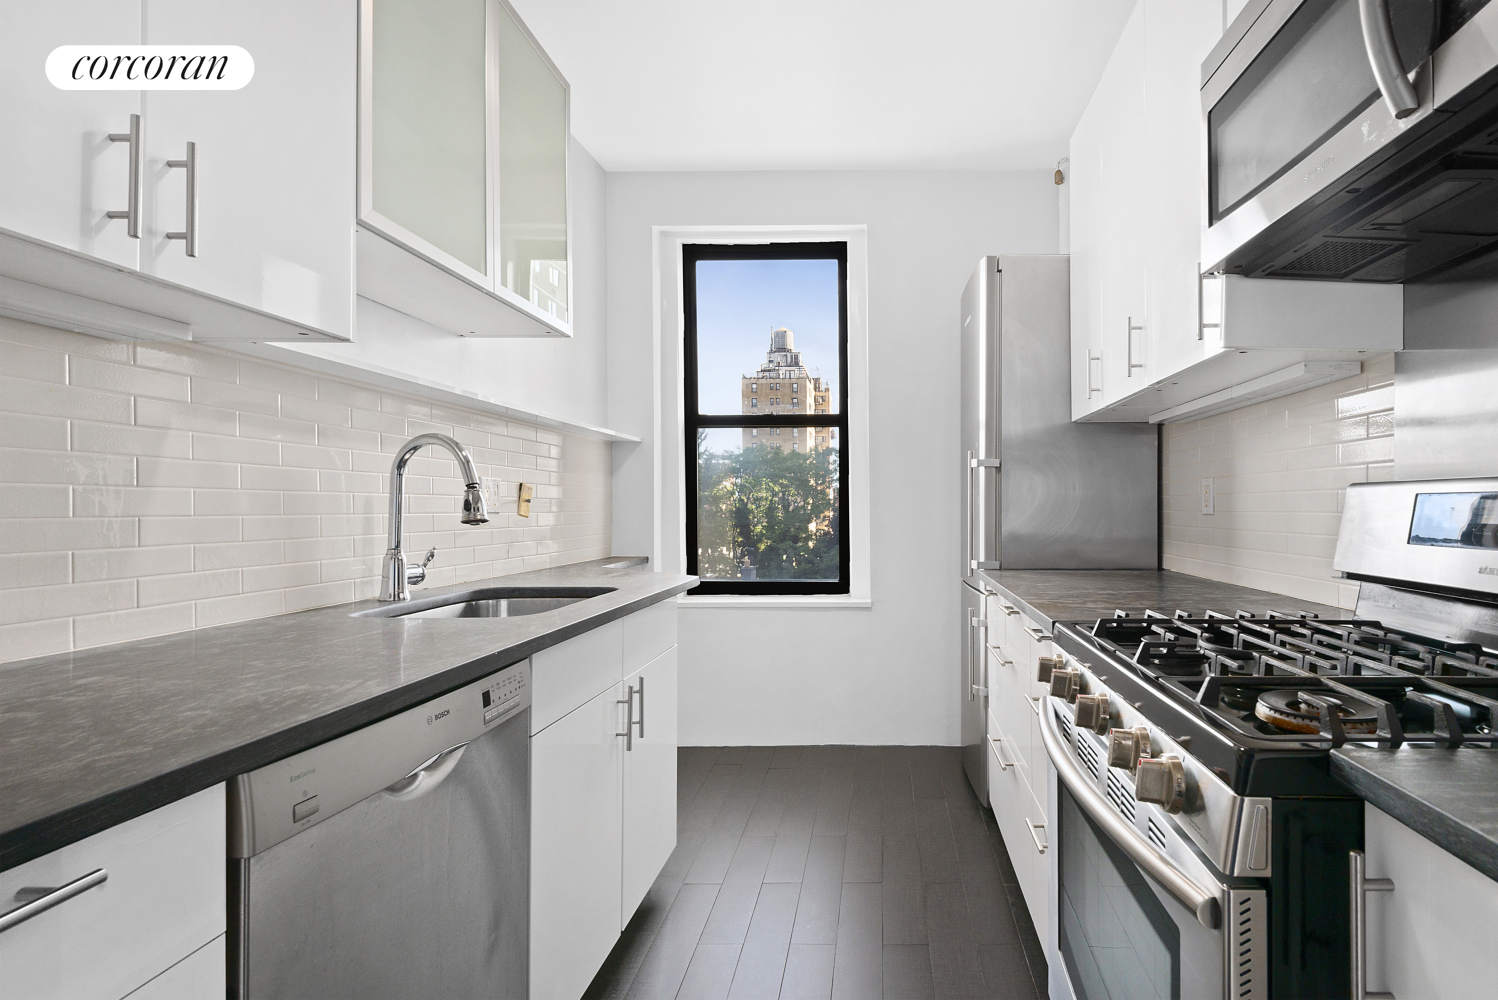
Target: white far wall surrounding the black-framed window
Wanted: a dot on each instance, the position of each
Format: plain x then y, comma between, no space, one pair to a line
886,674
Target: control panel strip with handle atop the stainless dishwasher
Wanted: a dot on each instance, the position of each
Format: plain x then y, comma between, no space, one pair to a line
281,800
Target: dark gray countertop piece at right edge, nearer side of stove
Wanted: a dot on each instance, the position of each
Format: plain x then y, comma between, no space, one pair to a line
1449,797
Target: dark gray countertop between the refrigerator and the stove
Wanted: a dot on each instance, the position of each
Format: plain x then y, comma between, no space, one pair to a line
1085,595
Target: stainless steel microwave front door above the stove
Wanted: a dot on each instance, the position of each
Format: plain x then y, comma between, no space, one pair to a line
1292,104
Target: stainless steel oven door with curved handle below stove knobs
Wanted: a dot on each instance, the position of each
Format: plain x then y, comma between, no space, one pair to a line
1139,912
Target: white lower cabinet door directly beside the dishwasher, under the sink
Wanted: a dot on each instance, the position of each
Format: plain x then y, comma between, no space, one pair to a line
576,860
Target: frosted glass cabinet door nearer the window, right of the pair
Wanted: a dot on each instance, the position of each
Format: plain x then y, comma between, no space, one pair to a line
533,171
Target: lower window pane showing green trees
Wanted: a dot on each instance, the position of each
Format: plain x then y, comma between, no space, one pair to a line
766,511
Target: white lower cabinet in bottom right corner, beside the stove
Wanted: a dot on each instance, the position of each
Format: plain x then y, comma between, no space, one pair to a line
1431,936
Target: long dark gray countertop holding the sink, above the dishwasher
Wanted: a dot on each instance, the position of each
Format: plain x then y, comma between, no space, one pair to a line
97,737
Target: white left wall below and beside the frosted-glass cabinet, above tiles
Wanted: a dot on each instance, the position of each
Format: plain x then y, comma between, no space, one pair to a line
551,376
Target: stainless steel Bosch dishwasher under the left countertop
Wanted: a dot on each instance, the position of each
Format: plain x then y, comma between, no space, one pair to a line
393,862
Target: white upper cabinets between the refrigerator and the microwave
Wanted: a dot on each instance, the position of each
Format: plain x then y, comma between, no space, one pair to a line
1153,341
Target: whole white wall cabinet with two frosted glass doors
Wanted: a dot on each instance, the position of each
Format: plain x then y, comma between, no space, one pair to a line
464,170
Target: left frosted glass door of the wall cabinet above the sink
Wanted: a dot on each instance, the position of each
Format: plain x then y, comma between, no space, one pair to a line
426,156
